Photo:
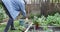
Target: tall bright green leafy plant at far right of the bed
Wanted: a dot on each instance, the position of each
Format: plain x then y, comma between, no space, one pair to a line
53,20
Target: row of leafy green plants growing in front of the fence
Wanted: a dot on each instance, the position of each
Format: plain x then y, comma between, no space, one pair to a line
49,21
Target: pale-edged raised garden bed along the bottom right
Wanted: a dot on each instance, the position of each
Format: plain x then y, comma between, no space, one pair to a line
50,28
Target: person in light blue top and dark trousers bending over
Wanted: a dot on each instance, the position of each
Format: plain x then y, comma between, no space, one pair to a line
13,8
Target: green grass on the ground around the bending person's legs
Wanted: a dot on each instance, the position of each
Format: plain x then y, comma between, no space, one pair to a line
16,24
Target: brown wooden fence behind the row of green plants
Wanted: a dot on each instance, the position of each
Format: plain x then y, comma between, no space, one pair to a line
43,7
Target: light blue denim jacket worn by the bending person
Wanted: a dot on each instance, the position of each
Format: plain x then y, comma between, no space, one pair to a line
15,7
